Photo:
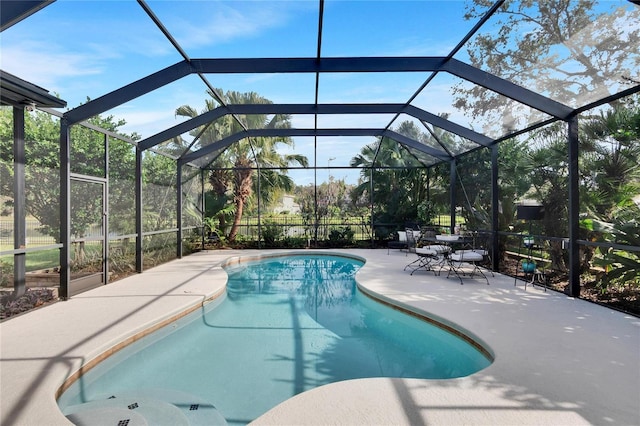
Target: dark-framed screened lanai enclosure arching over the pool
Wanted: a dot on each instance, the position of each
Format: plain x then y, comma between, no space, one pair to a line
168,127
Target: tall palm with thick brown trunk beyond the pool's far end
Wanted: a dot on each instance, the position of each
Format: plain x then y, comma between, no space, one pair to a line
245,156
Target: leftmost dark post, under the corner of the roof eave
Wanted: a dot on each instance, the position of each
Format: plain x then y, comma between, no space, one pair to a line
19,203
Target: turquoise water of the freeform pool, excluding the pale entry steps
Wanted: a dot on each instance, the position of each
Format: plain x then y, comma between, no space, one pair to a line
287,324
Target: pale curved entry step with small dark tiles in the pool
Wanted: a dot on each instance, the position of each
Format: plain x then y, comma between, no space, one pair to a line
146,407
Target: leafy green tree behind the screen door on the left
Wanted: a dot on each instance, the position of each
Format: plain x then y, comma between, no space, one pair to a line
42,173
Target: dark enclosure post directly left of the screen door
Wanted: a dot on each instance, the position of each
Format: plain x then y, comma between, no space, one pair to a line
65,208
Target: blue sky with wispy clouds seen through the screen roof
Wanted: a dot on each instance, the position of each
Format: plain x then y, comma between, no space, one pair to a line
81,49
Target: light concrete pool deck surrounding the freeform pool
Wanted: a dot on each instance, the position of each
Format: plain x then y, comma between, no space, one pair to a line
558,360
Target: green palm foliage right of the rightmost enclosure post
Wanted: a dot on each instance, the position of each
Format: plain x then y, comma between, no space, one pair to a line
611,188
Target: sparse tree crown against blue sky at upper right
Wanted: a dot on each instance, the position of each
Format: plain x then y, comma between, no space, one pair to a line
570,51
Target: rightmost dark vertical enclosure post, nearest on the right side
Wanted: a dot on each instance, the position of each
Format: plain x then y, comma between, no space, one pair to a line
574,208
